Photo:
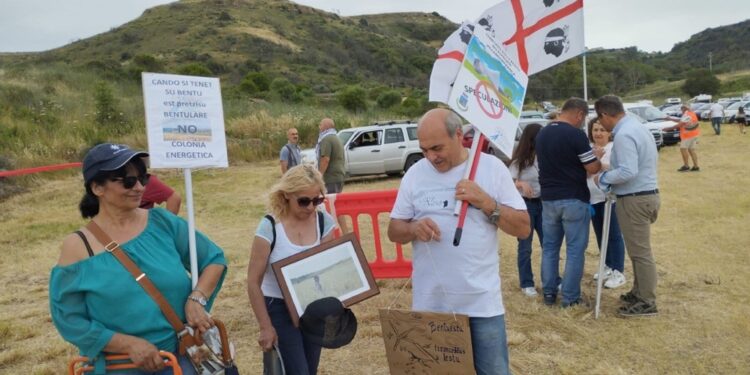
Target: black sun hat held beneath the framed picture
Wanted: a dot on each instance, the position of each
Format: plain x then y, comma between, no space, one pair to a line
328,323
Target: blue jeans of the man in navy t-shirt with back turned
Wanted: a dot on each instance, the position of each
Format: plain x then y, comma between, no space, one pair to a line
567,218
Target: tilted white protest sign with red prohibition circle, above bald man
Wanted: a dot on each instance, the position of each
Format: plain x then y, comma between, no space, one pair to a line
489,91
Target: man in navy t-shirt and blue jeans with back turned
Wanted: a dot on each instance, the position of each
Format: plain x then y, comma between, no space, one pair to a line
565,158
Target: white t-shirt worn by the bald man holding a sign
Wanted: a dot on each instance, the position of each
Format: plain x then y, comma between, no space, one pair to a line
464,279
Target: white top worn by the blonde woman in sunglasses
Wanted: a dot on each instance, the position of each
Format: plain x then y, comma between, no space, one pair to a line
285,248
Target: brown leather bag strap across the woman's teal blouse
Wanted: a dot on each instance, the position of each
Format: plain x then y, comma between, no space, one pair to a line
113,248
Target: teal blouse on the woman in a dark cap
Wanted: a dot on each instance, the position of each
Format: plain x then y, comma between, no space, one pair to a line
95,298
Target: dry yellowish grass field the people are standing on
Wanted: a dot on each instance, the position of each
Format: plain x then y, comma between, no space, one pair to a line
701,243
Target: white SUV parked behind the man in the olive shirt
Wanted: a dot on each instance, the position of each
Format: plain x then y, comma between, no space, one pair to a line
389,148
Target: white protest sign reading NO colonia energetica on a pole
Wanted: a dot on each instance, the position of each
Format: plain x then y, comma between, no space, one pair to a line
184,121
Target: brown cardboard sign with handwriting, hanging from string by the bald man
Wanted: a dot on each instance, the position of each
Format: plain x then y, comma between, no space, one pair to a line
427,343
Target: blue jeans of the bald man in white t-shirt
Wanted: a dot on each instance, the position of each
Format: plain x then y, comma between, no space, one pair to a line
490,345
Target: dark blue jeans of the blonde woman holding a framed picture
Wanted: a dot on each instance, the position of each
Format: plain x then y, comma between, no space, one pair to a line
300,356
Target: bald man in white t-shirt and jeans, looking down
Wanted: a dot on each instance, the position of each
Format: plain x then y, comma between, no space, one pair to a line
463,279
